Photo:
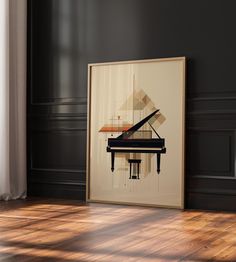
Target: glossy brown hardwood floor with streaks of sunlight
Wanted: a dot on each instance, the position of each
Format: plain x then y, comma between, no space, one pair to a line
59,230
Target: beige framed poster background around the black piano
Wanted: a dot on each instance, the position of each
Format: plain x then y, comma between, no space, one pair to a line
113,89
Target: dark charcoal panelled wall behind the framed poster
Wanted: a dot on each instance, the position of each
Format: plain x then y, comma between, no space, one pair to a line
65,35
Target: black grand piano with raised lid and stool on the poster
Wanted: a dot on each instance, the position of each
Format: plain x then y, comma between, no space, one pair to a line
125,143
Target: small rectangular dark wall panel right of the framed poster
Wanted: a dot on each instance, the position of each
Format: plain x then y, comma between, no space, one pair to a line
206,147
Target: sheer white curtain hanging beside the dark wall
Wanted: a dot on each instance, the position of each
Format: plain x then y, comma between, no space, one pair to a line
12,99
